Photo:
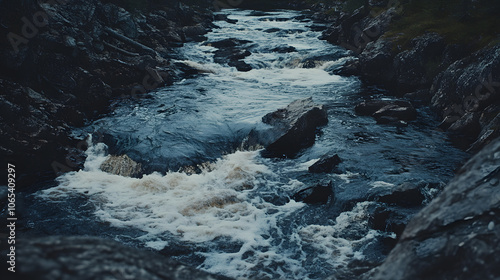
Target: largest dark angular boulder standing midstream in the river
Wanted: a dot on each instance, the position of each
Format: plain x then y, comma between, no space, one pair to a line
293,129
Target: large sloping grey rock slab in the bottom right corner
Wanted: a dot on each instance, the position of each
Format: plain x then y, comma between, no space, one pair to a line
457,235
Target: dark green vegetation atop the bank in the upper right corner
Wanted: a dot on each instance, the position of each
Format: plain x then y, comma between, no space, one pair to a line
475,24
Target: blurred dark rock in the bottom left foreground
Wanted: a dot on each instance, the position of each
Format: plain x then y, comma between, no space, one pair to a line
78,258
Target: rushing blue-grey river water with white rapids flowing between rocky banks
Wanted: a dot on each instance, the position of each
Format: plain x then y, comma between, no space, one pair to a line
235,217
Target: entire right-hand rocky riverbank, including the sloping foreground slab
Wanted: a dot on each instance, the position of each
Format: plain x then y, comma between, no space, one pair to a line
456,235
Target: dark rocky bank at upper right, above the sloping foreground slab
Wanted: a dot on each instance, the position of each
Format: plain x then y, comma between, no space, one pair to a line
459,80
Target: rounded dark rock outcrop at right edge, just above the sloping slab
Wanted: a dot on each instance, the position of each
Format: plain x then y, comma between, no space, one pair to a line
466,92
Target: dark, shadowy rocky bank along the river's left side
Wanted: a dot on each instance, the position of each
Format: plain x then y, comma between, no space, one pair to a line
63,62
